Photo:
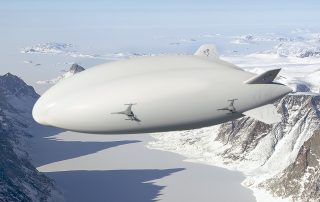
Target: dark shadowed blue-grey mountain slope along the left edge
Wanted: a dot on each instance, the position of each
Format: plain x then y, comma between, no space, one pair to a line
20,181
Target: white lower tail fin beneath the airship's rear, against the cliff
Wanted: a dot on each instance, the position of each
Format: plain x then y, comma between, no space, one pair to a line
267,114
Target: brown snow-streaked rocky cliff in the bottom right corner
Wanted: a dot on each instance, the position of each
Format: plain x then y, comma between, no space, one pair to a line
300,181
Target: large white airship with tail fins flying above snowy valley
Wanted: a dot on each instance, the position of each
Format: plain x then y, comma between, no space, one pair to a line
159,93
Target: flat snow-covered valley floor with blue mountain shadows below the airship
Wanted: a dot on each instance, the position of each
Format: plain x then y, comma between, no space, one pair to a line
147,175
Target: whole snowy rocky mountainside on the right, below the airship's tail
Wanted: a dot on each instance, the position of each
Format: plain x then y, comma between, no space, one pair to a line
281,161
